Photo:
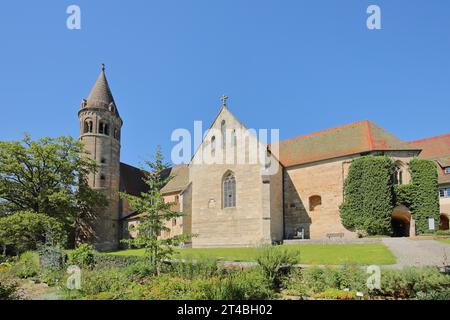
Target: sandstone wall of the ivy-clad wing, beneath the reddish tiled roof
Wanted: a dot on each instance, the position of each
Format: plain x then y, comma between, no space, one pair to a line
313,193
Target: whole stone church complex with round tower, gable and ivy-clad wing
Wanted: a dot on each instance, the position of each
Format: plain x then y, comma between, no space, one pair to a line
238,203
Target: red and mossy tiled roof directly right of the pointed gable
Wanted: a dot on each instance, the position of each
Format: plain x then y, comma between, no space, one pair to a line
358,137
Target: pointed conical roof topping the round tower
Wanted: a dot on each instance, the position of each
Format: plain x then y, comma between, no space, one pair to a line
100,95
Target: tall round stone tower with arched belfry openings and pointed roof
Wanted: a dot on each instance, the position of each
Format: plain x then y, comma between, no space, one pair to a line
100,130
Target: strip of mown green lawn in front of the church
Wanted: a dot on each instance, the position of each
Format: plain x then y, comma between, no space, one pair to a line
327,254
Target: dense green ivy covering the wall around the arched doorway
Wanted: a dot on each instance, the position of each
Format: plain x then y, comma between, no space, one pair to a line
370,196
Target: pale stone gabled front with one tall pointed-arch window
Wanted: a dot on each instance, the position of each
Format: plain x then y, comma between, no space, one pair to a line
258,199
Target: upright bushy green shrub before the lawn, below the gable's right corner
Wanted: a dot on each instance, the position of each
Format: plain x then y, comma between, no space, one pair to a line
276,262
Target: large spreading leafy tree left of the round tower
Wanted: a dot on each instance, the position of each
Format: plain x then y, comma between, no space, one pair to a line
47,176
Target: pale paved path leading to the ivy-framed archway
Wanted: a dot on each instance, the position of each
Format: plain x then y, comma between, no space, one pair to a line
418,252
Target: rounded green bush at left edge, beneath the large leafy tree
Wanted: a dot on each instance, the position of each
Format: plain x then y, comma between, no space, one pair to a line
23,231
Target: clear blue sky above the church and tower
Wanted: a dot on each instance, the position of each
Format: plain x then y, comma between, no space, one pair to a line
300,66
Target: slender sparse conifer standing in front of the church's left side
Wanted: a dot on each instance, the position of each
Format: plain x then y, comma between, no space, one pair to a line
157,213
